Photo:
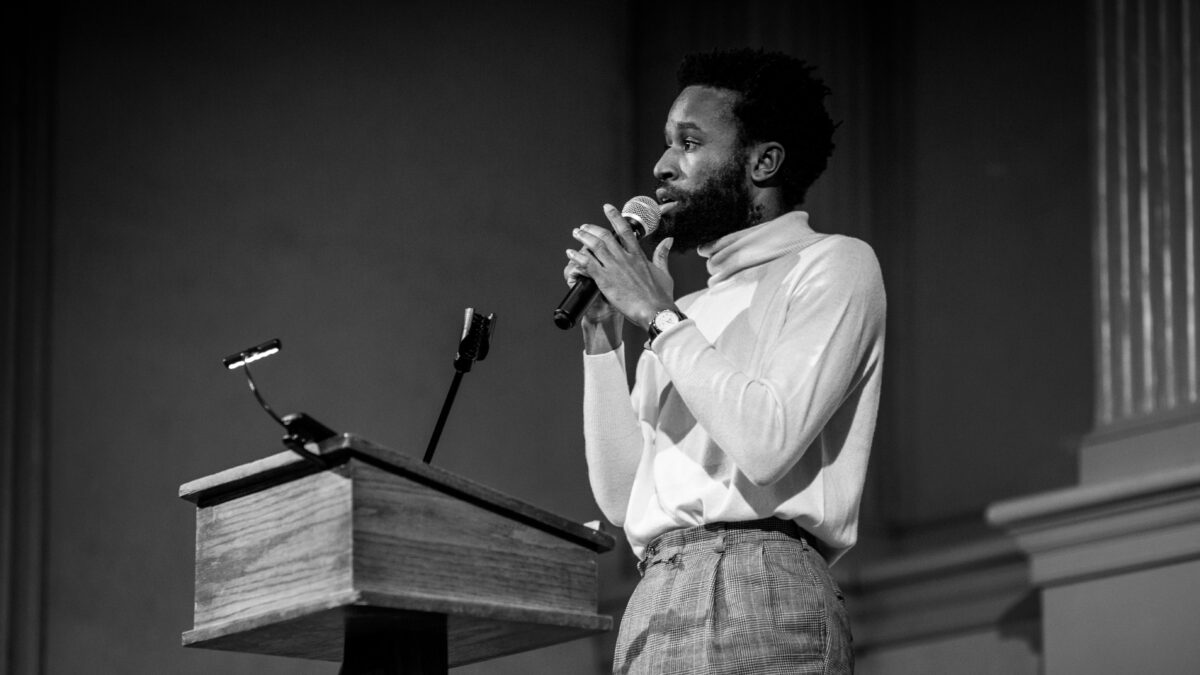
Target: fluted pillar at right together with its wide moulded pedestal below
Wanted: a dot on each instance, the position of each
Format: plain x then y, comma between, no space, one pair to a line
1115,558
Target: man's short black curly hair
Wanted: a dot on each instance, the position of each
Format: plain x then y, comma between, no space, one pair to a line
781,100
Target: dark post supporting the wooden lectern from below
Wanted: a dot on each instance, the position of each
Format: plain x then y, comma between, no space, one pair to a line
382,642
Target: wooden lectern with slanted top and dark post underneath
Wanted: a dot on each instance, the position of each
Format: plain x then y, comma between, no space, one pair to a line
386,564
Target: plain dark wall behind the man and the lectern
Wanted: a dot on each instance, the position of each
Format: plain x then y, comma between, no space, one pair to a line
185,181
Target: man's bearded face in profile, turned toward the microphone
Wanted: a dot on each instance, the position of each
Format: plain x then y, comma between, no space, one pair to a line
703,174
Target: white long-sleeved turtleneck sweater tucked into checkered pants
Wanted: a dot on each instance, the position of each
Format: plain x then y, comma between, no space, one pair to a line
761,404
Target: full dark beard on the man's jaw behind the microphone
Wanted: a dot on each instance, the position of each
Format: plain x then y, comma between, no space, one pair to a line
721,206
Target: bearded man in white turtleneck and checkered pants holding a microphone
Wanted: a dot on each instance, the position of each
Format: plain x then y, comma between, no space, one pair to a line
737,464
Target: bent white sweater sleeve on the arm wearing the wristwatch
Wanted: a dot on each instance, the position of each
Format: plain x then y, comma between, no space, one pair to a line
832,330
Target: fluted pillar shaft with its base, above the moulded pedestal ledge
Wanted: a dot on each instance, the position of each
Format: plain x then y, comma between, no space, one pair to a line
1147,70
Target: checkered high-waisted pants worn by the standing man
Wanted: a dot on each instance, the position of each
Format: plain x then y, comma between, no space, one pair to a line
735,598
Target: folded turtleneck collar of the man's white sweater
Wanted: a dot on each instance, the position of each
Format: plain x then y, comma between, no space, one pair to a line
757,246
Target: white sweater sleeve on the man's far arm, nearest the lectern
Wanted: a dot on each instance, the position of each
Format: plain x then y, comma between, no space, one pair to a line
613,435
